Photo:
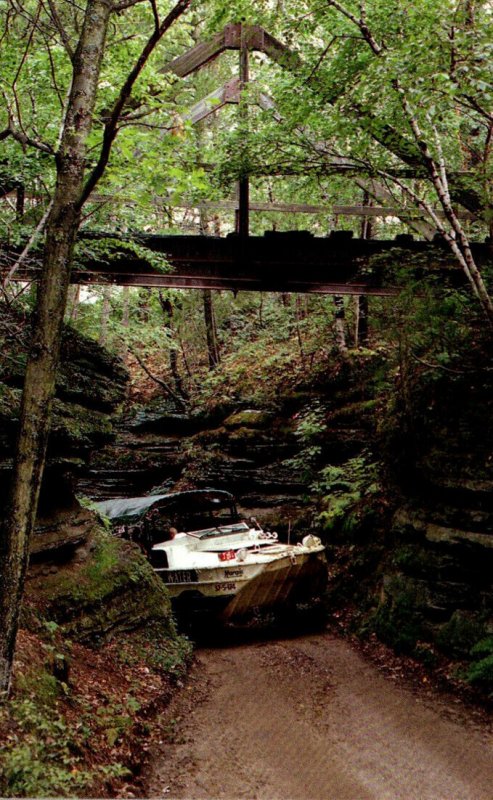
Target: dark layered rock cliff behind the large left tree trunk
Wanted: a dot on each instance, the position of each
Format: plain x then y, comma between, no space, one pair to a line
90,385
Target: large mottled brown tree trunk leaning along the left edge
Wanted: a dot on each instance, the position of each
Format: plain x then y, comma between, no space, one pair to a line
43,358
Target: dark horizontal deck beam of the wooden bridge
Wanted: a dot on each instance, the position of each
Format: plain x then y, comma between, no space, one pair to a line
276,262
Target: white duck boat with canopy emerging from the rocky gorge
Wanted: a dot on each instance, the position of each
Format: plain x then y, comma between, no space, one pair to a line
229,564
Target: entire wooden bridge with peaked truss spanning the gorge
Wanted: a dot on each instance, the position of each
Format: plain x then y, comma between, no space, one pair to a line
277,262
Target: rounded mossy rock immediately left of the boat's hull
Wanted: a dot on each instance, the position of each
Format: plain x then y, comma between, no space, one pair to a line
112,589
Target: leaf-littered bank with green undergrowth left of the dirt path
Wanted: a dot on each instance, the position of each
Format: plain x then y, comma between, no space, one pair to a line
79,720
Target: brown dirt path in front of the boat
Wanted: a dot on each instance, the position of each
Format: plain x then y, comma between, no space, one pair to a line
310,718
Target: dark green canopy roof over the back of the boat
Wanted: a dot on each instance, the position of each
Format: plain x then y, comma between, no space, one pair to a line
128,511
